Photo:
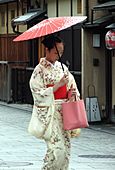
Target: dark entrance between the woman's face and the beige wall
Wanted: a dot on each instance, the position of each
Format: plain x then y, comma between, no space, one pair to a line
72,54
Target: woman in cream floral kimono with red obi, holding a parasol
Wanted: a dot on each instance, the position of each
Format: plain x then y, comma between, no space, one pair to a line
49,85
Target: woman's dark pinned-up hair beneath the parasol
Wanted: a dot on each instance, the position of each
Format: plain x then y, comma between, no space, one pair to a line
51,40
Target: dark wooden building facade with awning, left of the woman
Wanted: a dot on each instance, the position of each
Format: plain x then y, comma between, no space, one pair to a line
17,60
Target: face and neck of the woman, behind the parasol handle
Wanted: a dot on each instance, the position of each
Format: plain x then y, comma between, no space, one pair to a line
52,55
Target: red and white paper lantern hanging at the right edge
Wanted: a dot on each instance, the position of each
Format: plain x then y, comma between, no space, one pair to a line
110,39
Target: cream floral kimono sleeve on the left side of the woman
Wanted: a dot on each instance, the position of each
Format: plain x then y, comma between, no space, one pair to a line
42,96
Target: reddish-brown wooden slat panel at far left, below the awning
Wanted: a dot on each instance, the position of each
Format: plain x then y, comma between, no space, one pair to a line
13,51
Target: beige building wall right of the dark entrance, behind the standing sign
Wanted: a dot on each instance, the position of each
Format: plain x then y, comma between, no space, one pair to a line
94,75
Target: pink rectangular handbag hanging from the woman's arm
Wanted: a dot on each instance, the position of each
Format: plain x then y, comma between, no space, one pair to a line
74,115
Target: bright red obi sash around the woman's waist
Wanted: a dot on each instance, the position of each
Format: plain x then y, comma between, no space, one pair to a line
60,93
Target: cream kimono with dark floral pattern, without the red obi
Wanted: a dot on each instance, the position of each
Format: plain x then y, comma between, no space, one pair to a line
49,111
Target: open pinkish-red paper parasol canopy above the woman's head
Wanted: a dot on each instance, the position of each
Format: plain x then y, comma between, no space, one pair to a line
49,26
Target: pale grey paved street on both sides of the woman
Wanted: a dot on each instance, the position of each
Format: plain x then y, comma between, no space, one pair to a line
94,149
